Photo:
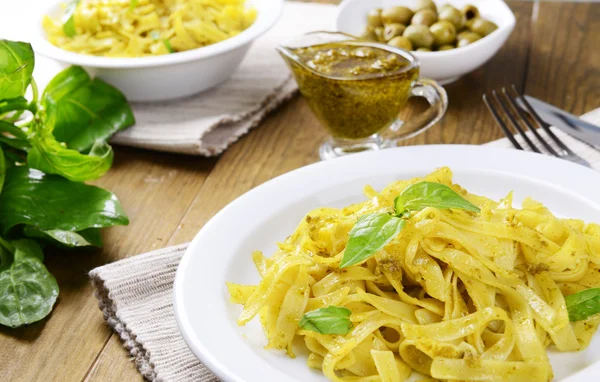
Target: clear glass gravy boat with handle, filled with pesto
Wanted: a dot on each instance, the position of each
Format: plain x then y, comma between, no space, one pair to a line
362,112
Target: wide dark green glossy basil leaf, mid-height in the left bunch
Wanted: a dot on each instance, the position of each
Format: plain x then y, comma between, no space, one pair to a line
49,202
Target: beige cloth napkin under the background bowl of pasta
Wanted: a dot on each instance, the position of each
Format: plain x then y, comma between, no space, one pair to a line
206,124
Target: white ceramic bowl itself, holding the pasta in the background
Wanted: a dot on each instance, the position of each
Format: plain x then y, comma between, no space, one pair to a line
170,76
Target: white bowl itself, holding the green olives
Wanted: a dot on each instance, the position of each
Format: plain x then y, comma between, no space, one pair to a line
446,66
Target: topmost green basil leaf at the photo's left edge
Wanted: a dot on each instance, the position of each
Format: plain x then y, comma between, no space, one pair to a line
16,67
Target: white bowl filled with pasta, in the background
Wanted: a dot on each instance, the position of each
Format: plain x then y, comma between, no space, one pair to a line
128,48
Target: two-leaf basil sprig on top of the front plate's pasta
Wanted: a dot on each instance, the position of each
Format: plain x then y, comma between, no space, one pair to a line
373,231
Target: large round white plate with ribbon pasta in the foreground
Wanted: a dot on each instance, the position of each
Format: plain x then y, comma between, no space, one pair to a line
276,211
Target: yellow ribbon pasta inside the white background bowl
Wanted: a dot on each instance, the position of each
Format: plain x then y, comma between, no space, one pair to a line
136,28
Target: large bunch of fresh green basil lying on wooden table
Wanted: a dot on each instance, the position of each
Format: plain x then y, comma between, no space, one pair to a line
65,133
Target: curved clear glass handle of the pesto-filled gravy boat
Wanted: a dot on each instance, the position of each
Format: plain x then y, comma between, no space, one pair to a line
437,97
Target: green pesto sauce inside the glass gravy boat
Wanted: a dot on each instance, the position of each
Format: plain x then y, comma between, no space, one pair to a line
355,90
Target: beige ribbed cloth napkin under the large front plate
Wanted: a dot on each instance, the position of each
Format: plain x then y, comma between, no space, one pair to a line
135,295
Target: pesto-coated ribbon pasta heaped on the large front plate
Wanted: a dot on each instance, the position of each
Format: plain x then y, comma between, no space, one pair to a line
456,295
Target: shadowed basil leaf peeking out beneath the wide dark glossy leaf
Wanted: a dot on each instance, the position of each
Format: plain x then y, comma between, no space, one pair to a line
90,237
